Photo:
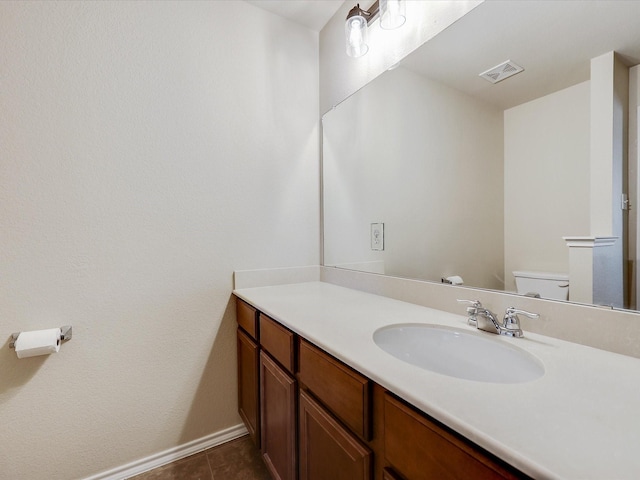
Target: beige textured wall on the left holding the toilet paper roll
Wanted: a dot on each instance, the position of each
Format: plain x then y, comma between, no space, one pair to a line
149,149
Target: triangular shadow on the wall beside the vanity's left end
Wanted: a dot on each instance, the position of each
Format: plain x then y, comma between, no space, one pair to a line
214,406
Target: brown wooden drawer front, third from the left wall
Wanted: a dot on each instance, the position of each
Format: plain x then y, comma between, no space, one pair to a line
343,390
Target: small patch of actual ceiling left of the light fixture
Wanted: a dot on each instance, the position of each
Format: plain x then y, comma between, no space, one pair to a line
313,14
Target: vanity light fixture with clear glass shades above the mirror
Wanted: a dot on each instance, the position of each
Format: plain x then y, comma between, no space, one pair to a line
392,15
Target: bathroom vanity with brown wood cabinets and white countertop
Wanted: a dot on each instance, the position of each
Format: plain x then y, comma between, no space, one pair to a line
322,400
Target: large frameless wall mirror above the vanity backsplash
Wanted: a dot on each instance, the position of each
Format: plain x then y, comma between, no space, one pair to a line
433,172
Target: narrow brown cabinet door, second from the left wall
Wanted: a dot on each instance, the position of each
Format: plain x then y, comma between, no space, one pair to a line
278,419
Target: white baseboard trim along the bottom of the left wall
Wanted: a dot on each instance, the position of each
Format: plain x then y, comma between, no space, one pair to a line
171,454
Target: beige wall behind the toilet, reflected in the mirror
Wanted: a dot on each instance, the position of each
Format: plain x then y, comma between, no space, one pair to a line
546,150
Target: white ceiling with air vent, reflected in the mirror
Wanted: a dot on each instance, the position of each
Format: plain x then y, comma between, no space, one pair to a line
553,40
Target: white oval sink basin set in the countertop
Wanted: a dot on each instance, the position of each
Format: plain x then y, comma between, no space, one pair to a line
457,353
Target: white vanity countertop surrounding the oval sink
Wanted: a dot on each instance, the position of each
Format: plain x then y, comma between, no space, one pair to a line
580,420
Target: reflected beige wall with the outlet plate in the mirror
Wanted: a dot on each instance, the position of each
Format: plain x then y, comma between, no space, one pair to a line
435,180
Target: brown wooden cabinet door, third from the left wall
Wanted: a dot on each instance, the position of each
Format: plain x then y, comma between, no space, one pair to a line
328,451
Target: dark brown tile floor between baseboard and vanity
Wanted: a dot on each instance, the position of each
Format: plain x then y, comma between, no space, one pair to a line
235,460
